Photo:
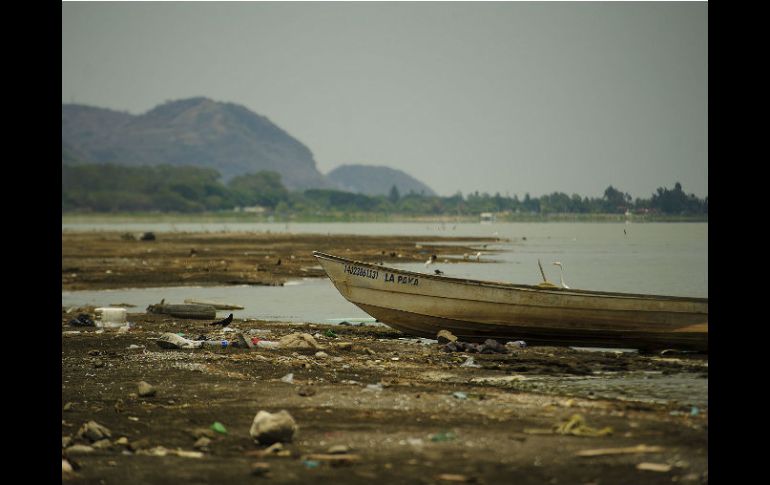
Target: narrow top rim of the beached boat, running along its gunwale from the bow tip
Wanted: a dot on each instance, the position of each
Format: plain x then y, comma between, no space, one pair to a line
515,286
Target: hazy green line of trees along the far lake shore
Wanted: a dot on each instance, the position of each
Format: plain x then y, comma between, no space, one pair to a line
164,188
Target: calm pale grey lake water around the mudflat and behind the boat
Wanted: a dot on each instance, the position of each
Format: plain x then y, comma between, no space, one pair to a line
651,258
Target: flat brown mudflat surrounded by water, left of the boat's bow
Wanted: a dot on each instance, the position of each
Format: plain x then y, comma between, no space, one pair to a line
105,260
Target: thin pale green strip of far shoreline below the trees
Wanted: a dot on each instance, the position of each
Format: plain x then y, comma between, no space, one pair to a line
239,217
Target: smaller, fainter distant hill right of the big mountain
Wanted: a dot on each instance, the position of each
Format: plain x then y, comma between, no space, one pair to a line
376,180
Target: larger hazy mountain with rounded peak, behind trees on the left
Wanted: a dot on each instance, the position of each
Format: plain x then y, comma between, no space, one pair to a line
196,131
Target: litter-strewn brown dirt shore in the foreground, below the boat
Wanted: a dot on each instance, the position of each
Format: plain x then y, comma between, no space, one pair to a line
412,430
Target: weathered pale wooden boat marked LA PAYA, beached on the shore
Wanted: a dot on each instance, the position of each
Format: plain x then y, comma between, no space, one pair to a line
422,304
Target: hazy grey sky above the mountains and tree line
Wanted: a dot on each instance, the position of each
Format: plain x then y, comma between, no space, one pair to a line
508,97
